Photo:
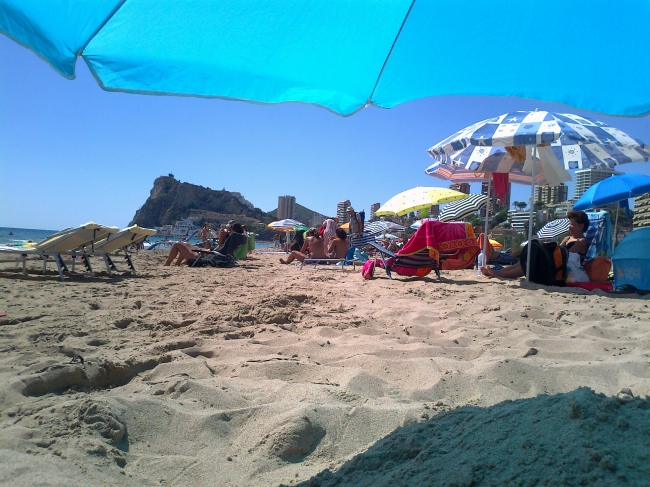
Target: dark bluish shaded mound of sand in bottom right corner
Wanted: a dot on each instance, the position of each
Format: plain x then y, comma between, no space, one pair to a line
576,438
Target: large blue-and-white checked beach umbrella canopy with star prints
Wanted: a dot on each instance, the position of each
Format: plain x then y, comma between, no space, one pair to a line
575,142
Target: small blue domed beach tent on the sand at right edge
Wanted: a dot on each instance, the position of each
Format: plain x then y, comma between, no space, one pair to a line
632,260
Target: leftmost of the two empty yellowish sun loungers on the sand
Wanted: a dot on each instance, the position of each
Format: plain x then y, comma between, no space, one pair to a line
72,242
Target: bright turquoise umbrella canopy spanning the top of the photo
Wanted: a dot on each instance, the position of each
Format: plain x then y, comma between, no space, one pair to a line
344,55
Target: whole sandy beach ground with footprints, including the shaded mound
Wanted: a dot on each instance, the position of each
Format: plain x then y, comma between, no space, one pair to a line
268,375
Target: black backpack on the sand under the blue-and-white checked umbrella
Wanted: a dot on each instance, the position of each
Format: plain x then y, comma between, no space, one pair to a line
548,263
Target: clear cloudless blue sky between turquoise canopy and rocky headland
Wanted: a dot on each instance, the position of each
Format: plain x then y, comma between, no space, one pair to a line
70,152
